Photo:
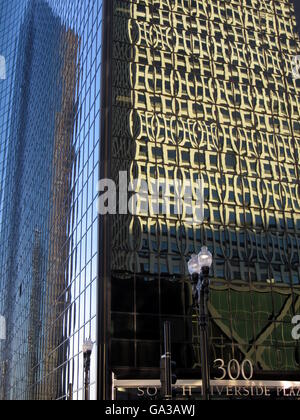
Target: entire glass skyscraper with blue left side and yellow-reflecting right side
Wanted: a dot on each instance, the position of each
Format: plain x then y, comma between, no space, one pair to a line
187,89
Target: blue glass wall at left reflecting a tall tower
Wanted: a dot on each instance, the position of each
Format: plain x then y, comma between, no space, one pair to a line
50,120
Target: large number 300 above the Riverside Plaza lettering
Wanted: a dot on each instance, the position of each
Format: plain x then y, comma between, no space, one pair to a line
234,370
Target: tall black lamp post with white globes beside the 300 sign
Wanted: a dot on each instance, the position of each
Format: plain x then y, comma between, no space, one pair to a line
199,266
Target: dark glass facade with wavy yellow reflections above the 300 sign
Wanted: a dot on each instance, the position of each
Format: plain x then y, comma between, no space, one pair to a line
206,88
